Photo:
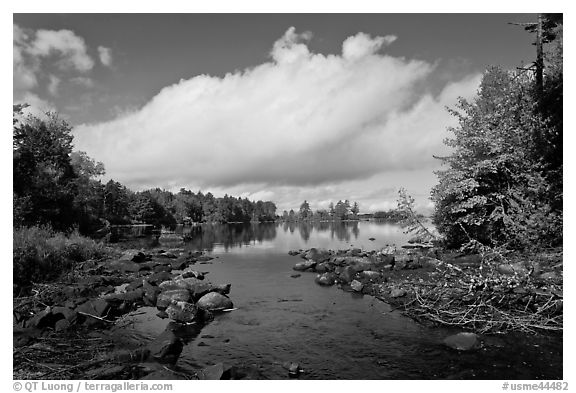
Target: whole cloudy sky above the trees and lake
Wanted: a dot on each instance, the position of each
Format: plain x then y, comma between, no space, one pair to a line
281,107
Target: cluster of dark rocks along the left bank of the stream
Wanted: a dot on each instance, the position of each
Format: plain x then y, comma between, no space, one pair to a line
162,279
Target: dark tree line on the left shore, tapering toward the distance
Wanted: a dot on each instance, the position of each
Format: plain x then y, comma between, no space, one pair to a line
56,186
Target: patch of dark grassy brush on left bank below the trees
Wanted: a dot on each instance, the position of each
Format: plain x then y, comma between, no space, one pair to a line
41,254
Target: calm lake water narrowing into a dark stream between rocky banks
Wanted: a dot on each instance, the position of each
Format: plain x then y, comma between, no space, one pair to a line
331,333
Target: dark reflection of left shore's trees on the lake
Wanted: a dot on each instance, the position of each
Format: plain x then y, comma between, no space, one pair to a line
204,237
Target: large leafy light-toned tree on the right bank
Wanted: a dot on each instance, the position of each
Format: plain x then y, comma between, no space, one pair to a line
493,190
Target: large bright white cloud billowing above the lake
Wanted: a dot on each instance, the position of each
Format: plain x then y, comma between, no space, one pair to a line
300,119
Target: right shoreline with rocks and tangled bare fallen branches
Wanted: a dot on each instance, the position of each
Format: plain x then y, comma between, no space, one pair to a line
477,293
